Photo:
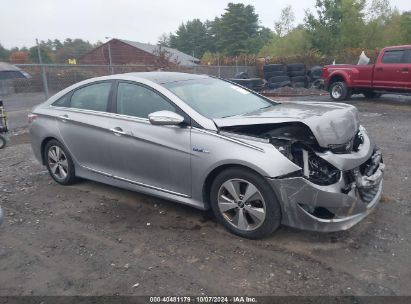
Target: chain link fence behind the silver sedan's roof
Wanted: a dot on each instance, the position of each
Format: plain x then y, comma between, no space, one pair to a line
51,78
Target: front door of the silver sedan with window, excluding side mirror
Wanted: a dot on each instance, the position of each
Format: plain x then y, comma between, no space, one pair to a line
157,157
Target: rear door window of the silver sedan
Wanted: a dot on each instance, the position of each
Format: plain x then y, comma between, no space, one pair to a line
93,97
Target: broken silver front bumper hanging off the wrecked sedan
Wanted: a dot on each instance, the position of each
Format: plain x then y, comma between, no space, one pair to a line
329,208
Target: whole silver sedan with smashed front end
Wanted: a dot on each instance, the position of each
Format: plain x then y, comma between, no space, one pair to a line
210,143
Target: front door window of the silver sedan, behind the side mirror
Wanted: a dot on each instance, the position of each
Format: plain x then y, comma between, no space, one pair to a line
138,101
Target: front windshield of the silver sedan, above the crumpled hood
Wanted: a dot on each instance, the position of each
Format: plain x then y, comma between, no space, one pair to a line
214,98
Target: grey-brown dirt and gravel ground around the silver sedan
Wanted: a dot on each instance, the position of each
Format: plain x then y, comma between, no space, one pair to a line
93,239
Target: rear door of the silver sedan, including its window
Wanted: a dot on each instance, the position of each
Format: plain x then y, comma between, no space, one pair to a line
83,124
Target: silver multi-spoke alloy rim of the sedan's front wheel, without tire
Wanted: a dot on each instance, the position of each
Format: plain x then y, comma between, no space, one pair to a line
241,204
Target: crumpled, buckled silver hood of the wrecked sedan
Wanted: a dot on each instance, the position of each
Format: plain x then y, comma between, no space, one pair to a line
331,123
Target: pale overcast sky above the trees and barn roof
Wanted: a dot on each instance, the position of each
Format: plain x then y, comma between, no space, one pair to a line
139,20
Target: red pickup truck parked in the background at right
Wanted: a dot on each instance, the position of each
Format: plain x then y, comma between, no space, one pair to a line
390,73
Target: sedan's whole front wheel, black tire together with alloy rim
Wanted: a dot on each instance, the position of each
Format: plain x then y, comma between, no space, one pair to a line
266,214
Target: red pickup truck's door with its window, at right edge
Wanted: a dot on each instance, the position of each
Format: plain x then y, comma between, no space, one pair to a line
388,73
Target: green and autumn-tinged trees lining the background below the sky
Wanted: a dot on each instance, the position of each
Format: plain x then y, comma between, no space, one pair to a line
331,28
